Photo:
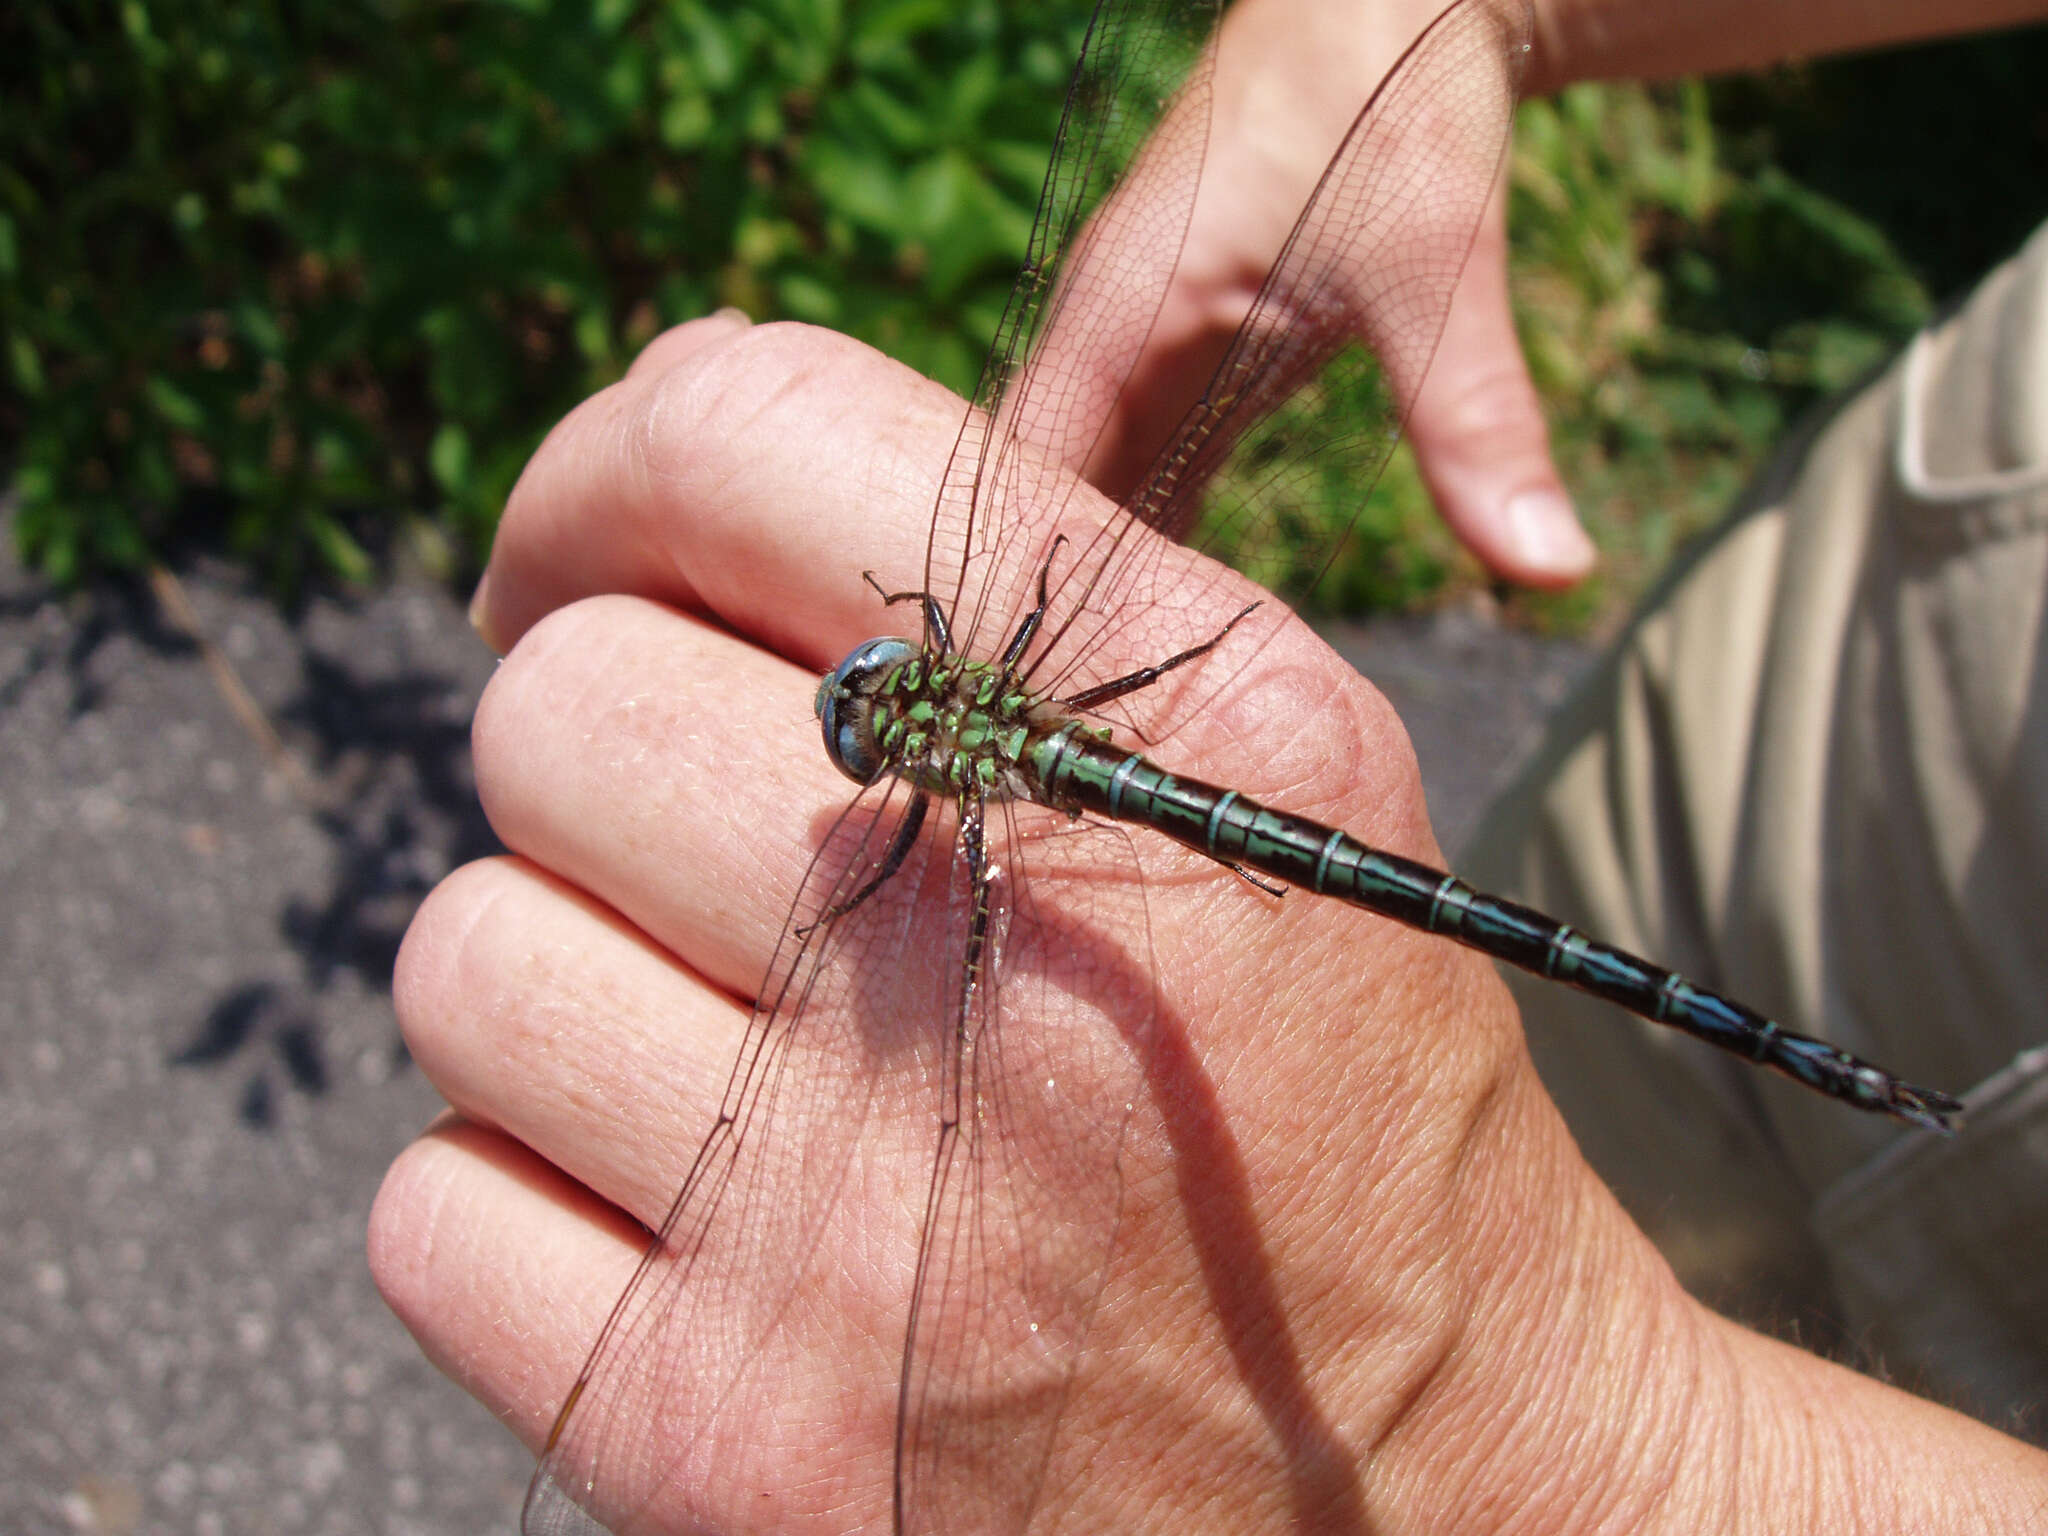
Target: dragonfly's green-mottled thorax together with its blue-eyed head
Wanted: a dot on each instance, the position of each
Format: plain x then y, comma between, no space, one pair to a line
941,722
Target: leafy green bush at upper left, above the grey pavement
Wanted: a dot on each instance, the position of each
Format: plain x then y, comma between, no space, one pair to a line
273,275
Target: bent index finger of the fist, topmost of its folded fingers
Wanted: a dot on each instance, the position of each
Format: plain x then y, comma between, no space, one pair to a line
738,472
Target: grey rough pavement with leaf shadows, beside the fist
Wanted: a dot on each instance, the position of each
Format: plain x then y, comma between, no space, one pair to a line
200,1072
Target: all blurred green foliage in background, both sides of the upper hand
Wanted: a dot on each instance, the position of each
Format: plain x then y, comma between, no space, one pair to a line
282,280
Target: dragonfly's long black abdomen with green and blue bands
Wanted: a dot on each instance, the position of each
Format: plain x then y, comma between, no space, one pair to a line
1076,771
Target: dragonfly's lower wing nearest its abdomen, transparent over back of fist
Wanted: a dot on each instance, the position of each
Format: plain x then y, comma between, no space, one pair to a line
1027,1187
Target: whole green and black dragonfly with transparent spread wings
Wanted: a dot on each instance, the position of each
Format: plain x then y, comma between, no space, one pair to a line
927,968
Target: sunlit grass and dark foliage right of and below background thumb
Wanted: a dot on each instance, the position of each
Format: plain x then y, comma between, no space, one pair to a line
1697,267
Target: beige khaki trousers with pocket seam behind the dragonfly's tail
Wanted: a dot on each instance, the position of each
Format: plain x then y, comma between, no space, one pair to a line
1816,775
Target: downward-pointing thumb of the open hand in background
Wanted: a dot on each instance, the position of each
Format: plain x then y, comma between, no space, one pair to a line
1482,441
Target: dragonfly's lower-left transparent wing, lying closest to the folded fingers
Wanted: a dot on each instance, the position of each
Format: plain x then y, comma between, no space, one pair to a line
685,1406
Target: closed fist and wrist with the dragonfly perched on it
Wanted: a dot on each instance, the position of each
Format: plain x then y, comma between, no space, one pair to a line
1361,1279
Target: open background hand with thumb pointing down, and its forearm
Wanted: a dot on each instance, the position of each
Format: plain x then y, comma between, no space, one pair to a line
1291,77
